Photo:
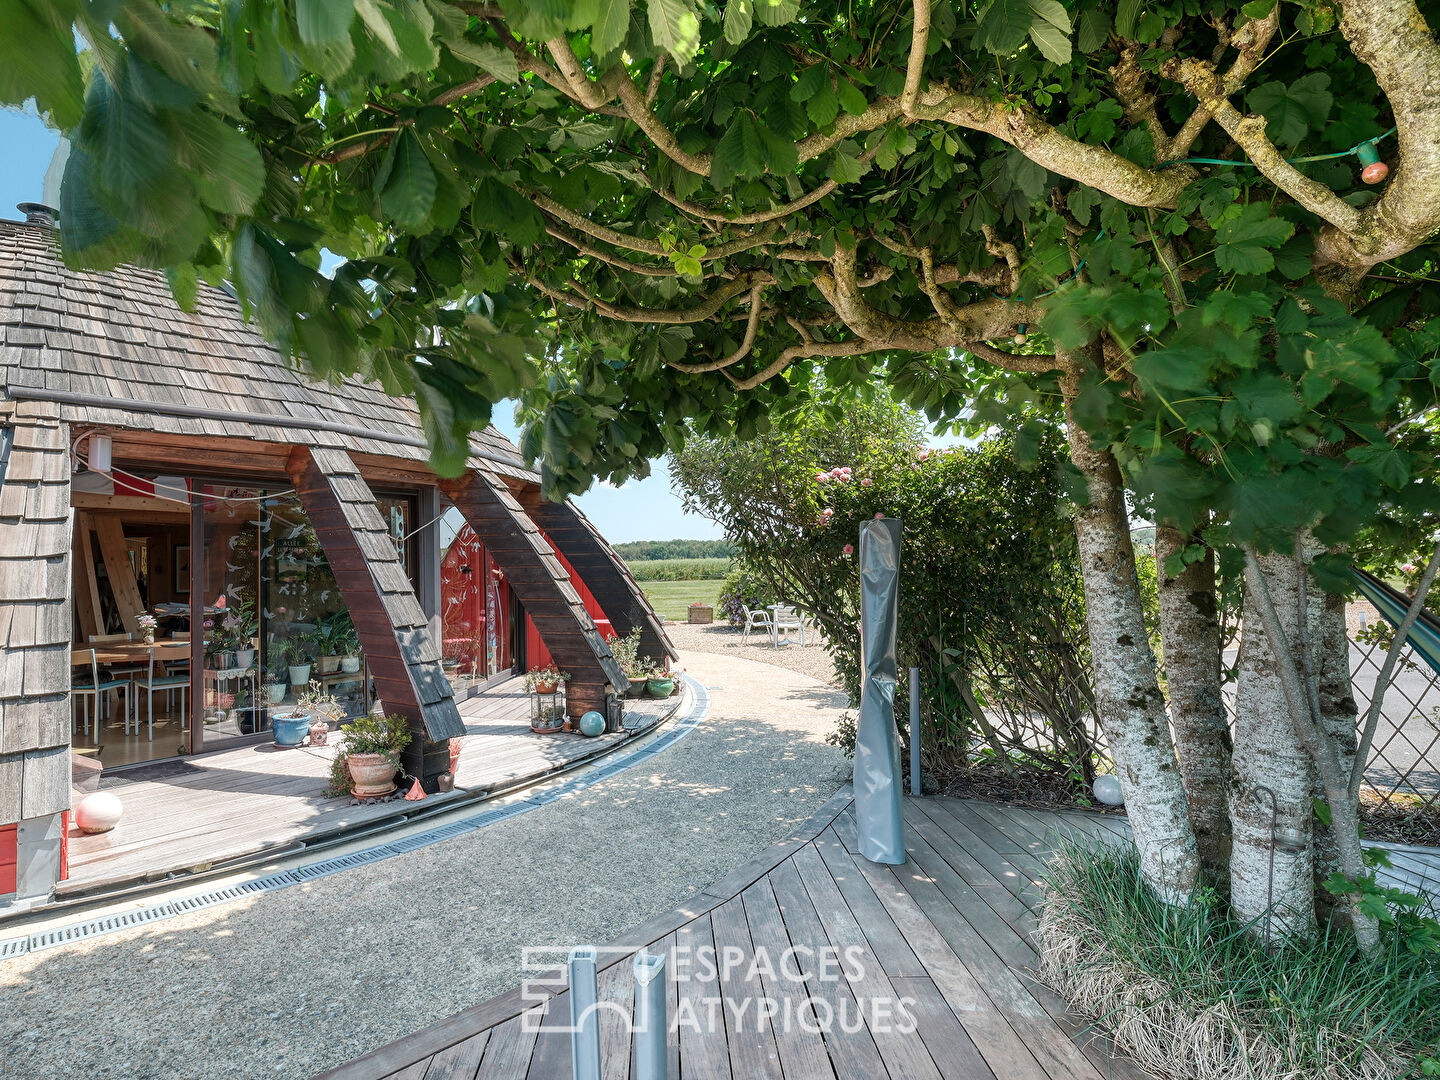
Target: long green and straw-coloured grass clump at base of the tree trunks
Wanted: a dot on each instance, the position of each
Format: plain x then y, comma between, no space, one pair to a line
1189,991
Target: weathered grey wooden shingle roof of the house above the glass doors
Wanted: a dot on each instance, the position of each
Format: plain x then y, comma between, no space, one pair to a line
114,349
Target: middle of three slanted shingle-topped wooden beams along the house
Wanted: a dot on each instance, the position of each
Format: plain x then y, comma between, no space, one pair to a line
541,584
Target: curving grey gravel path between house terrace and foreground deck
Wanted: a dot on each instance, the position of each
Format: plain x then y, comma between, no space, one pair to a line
302,980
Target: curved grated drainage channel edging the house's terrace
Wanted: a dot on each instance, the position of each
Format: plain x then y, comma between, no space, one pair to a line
408,837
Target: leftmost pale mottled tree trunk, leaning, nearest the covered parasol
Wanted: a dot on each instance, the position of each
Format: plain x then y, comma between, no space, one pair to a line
1128,698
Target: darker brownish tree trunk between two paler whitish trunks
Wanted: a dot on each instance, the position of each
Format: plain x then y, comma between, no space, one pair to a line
1190,631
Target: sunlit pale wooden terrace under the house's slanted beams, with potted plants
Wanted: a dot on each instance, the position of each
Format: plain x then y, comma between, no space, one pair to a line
221,807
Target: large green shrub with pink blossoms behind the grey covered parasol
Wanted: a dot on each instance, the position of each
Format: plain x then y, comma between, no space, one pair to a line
991,606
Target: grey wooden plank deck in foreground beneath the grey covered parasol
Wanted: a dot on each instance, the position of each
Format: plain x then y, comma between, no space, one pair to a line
947,940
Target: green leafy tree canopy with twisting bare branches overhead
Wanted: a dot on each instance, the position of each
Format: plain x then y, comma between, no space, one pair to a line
709,214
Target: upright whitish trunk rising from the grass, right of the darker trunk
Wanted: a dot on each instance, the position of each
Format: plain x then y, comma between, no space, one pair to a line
1274,783
